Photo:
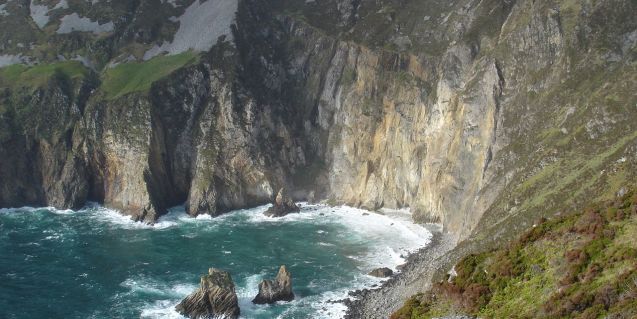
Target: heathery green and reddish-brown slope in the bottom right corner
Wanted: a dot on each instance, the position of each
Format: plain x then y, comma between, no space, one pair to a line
582,265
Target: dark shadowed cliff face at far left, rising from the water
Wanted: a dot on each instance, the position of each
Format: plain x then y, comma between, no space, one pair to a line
42,163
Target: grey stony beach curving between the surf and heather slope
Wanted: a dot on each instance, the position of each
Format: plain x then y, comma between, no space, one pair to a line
415,276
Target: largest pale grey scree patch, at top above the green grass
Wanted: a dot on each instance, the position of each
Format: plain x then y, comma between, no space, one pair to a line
199,27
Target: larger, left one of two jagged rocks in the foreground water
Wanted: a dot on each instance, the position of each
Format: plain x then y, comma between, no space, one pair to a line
215,299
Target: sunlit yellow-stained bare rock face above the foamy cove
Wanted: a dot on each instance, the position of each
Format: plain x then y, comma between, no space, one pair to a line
398,147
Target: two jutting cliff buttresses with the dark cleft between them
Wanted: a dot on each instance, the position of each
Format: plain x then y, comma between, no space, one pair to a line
182,141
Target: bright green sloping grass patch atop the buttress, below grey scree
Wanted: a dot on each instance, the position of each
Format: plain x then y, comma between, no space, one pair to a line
139,76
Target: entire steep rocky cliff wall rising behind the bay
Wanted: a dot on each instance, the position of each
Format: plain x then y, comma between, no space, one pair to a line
471,113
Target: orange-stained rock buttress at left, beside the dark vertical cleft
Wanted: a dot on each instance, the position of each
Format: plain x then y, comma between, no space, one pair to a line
120,134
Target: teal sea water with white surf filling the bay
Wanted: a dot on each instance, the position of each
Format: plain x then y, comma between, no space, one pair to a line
94,263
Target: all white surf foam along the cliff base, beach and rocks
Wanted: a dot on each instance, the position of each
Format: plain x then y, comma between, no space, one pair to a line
392,236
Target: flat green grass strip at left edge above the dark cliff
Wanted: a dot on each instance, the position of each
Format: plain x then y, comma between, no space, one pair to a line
19,75
